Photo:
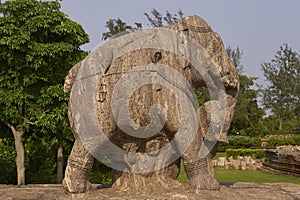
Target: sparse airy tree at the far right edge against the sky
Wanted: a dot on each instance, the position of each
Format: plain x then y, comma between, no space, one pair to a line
281,95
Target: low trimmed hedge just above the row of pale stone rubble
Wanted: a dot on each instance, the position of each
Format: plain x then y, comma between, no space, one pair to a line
254,153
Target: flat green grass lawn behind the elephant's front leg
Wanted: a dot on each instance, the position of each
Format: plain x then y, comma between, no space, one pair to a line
258,176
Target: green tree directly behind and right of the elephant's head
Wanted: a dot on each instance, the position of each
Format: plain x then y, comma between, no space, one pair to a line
247,118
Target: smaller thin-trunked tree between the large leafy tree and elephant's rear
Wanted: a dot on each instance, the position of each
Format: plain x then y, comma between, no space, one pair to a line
53,119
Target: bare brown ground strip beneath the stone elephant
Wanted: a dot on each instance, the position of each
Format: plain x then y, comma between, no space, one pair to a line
232,191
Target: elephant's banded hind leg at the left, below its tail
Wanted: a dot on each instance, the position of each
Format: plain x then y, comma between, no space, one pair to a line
80,163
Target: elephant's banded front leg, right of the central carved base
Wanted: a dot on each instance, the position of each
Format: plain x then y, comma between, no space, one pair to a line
198,169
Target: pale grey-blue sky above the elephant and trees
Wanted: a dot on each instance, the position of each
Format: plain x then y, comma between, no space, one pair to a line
258,27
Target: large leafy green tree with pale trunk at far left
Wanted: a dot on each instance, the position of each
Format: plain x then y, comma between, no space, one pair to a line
38,44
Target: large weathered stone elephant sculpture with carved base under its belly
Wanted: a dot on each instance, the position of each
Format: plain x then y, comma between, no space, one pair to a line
95,102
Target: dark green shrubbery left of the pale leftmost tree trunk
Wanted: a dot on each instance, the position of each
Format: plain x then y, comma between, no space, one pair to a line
7,162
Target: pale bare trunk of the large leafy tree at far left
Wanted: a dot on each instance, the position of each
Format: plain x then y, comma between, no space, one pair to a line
20,154
